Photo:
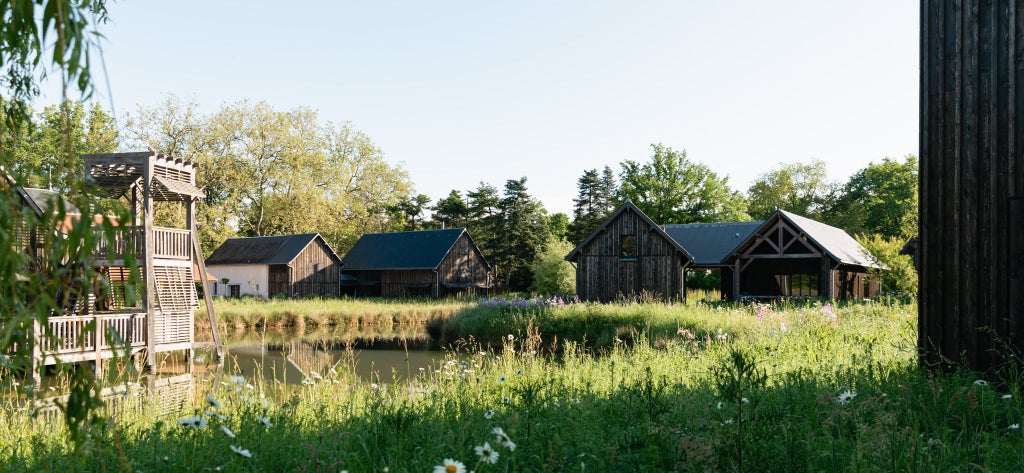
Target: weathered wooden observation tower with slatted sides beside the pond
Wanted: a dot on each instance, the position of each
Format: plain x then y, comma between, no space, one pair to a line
165,256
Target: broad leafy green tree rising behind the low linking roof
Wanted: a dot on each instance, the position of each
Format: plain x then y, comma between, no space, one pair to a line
670,189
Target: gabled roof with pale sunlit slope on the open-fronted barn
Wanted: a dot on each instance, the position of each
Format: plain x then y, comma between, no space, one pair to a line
834,242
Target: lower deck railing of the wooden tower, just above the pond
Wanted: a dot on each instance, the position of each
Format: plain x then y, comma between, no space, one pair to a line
67,334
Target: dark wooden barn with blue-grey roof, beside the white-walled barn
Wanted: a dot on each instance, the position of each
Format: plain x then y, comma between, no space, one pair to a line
435,264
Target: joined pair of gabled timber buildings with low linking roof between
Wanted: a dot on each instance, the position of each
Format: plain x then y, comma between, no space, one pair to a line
784,256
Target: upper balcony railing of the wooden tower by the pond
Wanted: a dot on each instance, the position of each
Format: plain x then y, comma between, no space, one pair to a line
167,243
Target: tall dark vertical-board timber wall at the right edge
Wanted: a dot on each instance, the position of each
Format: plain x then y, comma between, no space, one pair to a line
972,175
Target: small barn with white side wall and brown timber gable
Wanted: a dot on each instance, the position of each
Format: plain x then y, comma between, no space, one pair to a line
290,266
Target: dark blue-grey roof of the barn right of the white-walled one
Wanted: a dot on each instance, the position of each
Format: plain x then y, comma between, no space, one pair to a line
403,250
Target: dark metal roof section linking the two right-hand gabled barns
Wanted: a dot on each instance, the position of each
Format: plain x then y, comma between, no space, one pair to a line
711,243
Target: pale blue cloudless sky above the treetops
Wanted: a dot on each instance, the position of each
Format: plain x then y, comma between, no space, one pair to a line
461,93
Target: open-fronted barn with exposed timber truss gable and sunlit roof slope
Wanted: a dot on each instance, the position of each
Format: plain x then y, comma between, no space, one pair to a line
793,256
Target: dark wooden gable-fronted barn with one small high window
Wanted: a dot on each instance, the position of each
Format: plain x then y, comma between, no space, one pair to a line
629,256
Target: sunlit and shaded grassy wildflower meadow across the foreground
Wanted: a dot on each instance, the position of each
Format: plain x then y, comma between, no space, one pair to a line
589,388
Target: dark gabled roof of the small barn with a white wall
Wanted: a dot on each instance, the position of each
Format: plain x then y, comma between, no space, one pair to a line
265,250
